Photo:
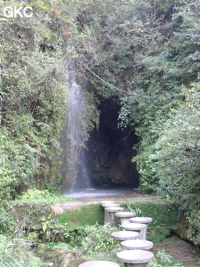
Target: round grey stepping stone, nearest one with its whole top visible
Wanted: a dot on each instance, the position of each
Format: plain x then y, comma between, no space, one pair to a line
135,258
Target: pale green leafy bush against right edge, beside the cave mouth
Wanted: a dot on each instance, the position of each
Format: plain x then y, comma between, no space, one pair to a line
171,165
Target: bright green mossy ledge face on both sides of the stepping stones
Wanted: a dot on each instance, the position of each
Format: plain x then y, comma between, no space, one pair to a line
164,216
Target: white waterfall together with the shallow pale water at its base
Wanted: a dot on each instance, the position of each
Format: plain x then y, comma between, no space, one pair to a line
77,174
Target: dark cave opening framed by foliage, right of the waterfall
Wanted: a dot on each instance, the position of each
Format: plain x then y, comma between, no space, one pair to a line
109,152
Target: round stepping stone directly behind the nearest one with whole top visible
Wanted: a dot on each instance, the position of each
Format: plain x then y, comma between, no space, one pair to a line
136,244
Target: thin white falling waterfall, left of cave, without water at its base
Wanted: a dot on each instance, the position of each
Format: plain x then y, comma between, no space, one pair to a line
76,169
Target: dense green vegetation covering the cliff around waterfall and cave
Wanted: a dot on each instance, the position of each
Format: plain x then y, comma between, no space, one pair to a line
142,54
